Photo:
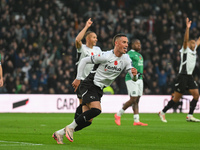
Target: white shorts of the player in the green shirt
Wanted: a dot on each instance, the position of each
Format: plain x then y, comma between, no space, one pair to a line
135,89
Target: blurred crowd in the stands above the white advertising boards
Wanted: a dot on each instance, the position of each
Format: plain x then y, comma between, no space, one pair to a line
37,40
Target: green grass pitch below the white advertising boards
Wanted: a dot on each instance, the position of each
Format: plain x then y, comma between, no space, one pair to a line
25,131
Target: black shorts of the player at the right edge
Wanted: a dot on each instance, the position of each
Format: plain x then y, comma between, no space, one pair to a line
185,82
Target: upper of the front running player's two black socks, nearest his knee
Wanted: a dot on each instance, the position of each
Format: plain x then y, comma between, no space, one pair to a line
87,115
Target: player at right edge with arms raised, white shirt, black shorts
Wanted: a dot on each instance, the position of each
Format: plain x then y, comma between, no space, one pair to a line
185,79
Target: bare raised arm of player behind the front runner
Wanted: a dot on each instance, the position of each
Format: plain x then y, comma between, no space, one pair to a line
81,34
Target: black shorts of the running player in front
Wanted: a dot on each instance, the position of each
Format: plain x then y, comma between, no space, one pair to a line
90,92
